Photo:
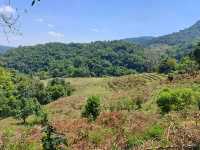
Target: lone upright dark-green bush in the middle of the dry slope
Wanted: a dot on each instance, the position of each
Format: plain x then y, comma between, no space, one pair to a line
92,108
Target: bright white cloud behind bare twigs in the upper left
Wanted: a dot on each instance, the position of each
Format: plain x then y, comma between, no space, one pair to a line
7,11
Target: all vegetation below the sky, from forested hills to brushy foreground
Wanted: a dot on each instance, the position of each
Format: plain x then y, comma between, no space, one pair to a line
158,110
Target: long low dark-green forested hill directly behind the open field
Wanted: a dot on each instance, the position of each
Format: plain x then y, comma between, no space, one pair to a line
112,58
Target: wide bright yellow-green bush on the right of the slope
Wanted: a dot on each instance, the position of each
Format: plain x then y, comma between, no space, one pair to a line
175,99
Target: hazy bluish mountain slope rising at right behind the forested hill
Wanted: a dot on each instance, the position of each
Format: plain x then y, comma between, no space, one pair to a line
176,44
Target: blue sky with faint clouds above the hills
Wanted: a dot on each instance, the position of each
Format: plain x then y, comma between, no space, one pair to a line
91,20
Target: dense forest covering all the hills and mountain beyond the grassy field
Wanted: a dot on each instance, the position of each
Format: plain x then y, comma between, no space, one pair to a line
101,58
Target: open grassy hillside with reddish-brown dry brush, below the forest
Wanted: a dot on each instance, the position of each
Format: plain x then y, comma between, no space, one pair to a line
120,125
